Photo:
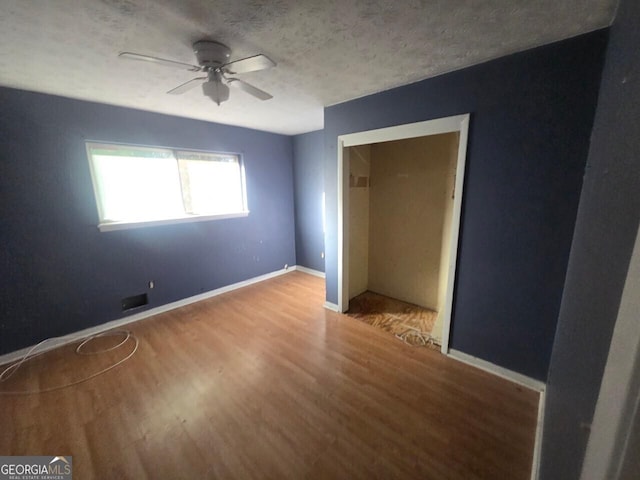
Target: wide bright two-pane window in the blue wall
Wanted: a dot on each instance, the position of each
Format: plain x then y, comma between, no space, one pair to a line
140,186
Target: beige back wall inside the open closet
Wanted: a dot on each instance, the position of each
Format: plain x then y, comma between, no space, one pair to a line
408,198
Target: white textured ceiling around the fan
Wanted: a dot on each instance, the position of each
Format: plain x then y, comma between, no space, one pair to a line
327,51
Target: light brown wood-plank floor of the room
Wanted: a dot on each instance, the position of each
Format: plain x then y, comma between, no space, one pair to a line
264,382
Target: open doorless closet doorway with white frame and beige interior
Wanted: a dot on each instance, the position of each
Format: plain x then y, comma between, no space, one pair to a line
399,202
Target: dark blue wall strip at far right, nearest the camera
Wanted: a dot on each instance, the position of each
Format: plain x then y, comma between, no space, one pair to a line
606,228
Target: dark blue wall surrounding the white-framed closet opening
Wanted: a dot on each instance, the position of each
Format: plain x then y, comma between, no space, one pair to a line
532,114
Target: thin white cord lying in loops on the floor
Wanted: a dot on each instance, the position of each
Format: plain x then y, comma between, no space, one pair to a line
31,354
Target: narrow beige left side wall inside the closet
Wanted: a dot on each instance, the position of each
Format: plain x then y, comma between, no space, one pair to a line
359,160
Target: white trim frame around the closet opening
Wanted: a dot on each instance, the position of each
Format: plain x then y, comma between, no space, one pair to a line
458,123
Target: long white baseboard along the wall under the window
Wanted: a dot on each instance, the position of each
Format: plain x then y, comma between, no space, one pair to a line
72,337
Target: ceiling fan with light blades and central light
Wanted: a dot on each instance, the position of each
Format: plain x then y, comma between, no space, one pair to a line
213,60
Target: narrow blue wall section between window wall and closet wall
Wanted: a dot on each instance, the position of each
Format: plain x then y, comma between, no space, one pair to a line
308,175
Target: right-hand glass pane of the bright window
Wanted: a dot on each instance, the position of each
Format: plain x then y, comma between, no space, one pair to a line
211,184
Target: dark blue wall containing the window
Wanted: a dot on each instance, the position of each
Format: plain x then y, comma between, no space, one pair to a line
59,274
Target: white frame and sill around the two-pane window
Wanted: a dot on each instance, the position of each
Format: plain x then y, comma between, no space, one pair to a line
106,226
